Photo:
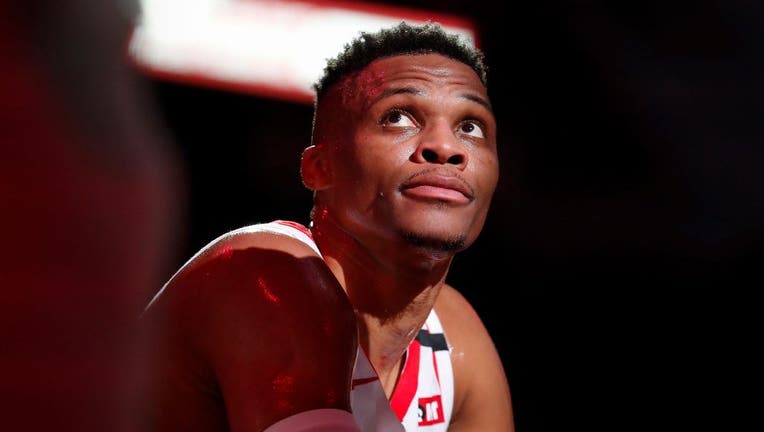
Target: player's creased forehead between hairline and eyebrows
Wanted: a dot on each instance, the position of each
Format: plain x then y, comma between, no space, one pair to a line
415,69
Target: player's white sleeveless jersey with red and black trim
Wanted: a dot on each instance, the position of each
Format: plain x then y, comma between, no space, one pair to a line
423,399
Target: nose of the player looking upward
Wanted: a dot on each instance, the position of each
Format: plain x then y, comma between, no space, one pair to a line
439,144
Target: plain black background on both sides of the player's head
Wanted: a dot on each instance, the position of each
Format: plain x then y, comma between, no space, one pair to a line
617,268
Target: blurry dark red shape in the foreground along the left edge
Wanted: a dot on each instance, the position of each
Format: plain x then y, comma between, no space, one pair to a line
89,193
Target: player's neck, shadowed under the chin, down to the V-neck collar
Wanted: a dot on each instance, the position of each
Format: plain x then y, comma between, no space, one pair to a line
392,291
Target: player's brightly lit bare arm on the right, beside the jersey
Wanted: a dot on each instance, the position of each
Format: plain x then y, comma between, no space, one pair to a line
482,399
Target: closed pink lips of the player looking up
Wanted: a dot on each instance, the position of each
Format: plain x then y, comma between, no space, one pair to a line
441,187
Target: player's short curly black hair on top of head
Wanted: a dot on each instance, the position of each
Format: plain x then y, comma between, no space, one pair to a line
401,39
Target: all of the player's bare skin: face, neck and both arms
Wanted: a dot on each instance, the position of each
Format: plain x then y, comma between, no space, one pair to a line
258,327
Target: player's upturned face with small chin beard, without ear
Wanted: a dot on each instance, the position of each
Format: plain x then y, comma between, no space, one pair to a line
412,151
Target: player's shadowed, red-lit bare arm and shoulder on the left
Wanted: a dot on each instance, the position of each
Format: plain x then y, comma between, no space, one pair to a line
252,331
